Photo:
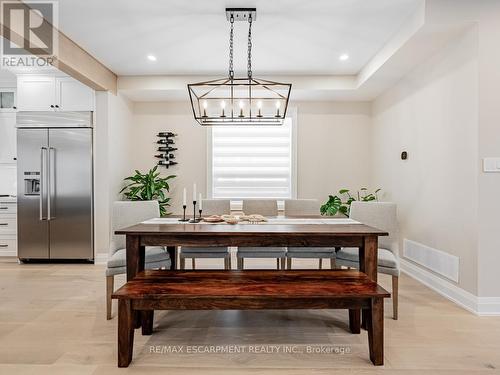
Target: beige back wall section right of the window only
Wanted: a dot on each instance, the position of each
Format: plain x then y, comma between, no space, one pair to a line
333,147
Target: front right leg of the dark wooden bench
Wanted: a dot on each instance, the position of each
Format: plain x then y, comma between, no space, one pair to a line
375,325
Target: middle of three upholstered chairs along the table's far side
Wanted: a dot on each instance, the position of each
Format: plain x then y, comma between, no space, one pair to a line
265,207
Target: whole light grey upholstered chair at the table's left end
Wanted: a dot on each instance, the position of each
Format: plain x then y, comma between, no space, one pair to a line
127,213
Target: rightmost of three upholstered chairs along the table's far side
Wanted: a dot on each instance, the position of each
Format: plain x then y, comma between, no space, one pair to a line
297,207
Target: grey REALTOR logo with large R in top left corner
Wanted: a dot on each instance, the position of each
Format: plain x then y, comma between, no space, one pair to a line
29,34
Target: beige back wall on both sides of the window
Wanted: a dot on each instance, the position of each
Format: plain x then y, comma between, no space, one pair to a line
326,160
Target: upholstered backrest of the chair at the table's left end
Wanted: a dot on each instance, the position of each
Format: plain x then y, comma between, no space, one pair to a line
127,213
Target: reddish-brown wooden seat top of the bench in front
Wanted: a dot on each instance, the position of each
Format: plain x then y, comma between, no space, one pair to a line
154,284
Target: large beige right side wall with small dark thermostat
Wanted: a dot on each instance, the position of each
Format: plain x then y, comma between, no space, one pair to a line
433,114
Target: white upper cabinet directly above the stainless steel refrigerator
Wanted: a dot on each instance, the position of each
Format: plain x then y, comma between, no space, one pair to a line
53,93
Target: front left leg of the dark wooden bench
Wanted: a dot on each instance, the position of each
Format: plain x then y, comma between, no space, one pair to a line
125,332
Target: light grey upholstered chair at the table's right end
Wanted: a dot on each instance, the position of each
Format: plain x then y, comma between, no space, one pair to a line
381,215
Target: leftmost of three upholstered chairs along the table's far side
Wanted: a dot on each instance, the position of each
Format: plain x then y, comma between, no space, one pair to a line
210,207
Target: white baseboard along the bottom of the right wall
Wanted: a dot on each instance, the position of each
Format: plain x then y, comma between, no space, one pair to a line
483,306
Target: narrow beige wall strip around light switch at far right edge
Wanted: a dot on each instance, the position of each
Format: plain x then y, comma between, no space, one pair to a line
489,145
